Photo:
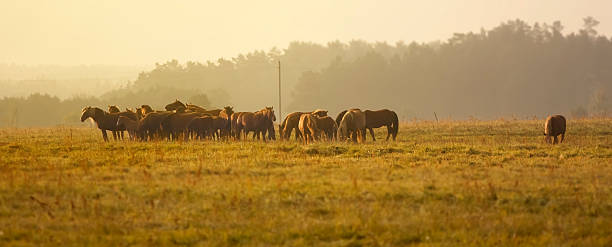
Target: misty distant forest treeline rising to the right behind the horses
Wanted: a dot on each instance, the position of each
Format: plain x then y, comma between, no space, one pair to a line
513,70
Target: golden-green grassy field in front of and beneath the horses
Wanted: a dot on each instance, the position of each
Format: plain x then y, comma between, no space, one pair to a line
467,183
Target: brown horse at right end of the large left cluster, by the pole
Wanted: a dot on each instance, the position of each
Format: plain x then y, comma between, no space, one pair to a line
259,122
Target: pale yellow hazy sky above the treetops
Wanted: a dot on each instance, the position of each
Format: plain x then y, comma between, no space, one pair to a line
129,32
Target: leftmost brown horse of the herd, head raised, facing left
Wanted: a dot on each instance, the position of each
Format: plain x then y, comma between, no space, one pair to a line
104,120
